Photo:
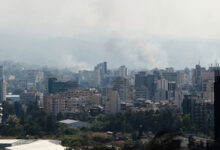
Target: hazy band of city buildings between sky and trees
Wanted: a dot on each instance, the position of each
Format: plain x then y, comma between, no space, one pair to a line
104,90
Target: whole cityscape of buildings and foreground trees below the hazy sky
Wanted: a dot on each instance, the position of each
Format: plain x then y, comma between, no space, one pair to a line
110,108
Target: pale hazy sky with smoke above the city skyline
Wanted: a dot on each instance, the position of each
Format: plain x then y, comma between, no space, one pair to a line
135,33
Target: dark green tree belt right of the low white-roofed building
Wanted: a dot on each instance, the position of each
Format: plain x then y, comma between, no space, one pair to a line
145,122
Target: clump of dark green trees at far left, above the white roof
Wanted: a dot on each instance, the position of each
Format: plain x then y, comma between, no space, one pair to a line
32,122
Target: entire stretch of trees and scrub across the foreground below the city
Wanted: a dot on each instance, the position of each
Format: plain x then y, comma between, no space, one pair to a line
31,122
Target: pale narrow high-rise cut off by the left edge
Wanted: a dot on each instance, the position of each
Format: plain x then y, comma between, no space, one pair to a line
2,85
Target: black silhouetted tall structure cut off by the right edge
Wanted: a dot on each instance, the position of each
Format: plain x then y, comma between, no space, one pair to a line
217,107
